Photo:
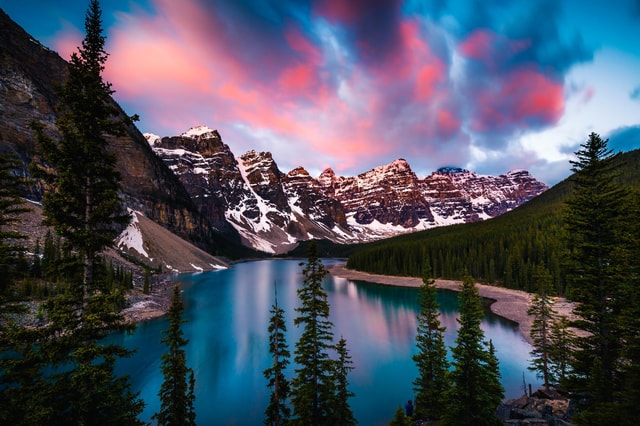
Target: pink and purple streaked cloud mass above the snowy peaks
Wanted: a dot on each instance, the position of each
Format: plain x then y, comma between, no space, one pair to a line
350,85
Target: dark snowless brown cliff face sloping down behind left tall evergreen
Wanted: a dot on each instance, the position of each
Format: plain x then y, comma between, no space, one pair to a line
28,75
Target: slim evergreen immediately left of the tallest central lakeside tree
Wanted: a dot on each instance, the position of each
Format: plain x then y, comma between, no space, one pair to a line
277,412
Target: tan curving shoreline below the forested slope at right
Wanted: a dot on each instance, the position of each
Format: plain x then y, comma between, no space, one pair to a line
507,303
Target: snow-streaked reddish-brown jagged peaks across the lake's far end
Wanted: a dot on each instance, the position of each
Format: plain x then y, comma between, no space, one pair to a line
272,210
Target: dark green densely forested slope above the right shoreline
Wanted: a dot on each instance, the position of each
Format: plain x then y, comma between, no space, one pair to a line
502,250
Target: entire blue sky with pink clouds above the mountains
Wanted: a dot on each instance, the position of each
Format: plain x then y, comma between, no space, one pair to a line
486,85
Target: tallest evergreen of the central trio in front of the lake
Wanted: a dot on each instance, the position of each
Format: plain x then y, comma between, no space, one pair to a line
313,387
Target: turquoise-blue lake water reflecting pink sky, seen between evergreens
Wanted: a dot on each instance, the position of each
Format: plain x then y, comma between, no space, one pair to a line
228,313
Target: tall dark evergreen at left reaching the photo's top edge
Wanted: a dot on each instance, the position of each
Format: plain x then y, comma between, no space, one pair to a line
84,208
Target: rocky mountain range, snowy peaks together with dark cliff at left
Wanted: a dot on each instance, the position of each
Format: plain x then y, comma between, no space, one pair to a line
194,186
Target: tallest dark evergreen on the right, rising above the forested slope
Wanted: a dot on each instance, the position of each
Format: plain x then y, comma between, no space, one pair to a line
595,220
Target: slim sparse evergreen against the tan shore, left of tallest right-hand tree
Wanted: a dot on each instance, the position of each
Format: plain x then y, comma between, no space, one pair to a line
543,316
